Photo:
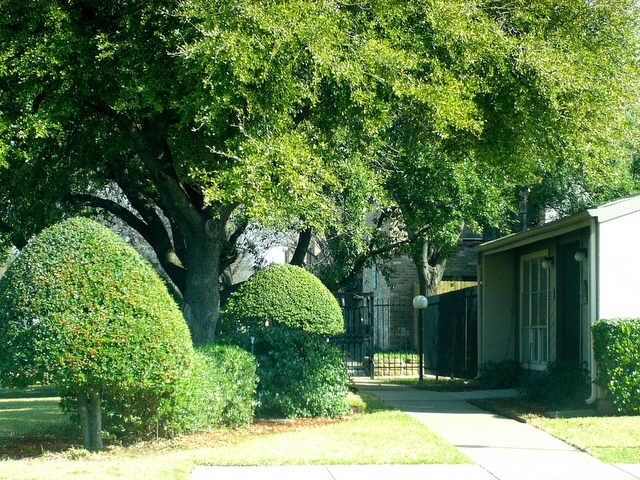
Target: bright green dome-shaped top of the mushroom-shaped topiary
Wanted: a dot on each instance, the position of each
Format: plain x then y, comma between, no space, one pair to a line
288,296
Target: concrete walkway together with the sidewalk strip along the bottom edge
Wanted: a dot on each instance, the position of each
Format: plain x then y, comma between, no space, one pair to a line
503,449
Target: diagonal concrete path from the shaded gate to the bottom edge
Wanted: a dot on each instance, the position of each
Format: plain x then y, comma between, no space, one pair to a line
507,449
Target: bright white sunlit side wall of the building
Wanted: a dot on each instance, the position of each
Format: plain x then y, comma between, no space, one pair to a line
619,267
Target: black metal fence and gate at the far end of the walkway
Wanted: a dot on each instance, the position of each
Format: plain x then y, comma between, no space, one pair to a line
381,335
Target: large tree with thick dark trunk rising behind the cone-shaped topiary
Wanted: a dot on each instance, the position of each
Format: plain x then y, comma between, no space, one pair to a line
202,114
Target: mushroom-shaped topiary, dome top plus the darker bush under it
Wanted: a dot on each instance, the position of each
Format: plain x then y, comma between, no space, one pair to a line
284,315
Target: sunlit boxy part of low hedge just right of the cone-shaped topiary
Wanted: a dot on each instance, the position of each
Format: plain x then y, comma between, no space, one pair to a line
219,392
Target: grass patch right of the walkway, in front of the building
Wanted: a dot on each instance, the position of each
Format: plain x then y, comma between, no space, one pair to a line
611,439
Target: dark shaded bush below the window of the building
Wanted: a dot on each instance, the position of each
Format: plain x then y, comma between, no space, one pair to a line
560,385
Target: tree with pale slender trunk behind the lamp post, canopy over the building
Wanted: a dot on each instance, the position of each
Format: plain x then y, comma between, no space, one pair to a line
497,97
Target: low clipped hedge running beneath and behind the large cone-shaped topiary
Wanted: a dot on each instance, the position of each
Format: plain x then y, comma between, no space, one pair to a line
219,390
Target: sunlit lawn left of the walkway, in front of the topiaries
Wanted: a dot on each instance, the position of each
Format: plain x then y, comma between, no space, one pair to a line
377,435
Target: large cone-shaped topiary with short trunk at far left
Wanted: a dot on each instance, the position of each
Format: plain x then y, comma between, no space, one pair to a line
81,310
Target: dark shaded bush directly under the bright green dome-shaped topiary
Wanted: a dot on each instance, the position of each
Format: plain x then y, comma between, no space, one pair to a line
301,374
